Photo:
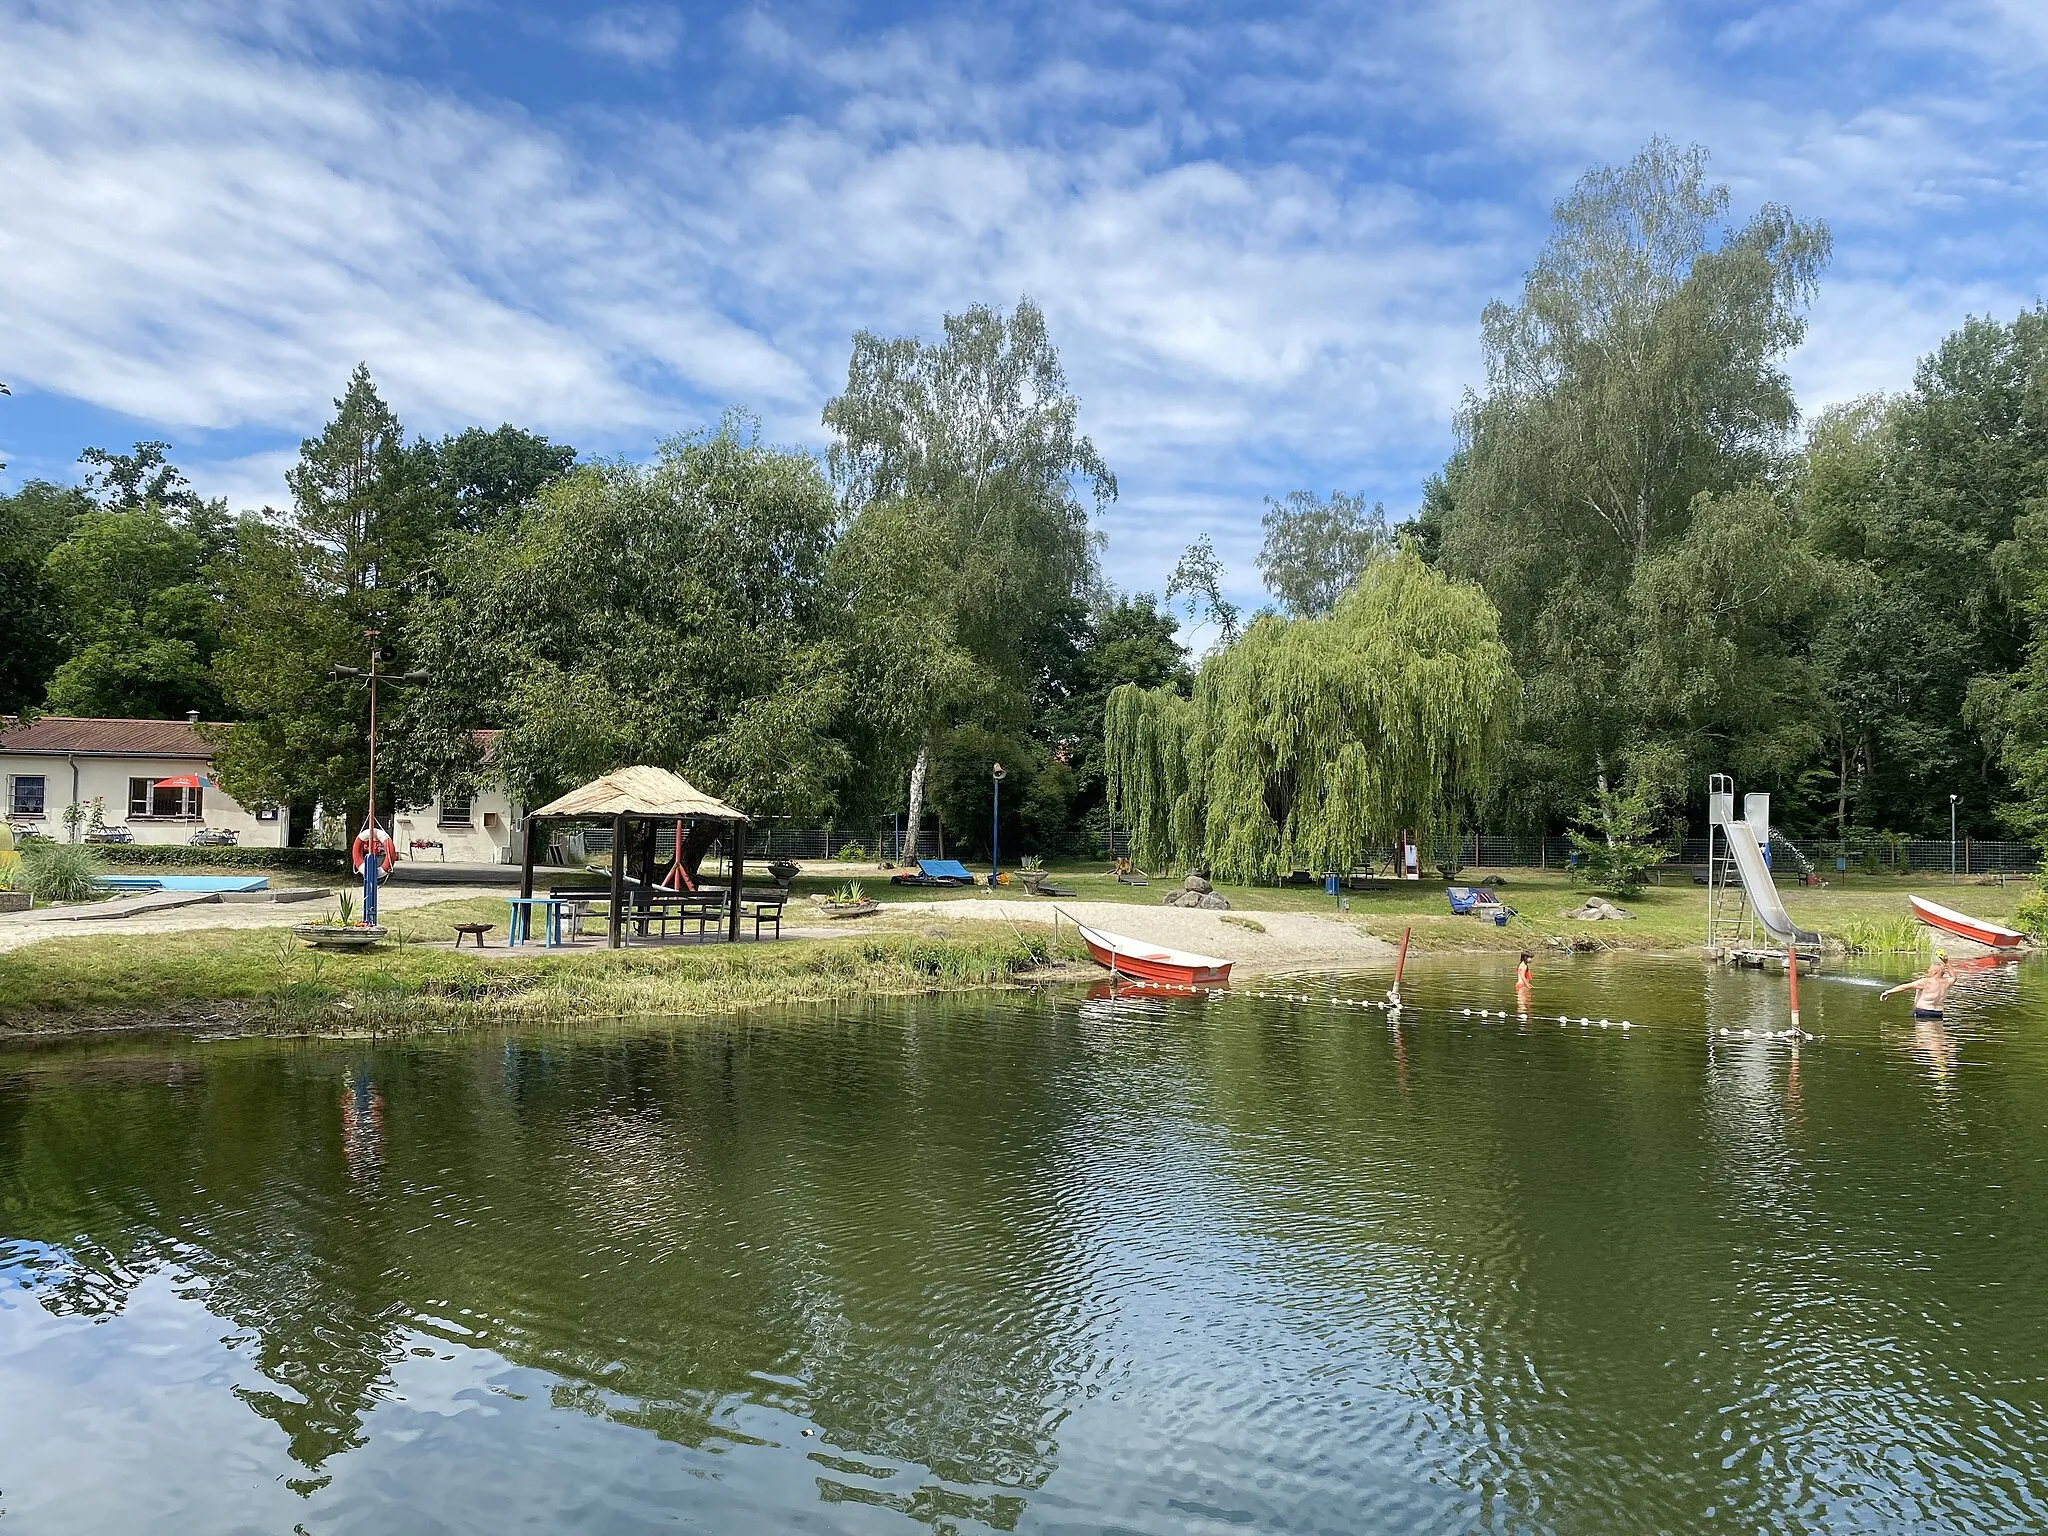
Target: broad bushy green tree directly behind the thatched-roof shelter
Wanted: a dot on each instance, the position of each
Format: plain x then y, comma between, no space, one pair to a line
675,615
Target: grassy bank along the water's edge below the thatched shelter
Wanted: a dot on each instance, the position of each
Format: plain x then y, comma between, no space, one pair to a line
267,980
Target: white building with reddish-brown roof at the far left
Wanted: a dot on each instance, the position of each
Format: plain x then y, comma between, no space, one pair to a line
118,769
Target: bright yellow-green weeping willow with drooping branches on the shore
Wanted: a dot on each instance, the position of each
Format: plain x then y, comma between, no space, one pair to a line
1312,740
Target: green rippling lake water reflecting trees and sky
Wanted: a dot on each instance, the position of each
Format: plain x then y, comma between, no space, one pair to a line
1048,1265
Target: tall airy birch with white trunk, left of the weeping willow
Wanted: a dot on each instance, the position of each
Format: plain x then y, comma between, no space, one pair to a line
980,439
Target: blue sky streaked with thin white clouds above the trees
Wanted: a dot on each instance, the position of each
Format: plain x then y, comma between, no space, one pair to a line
1263,234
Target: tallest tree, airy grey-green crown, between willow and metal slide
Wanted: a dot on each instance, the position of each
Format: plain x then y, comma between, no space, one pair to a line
1635,384
